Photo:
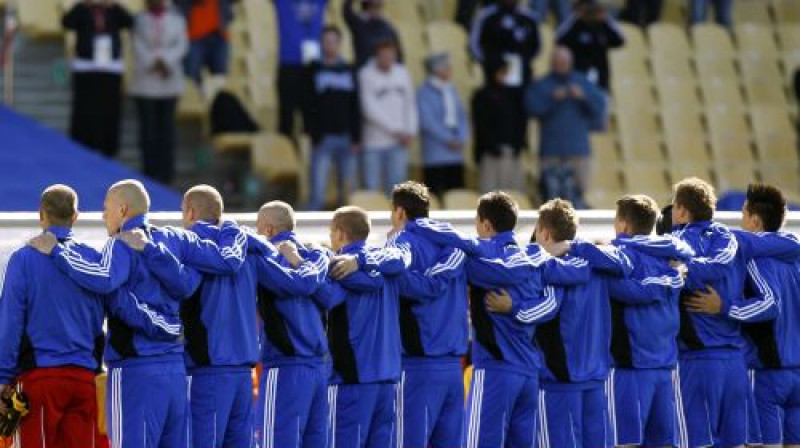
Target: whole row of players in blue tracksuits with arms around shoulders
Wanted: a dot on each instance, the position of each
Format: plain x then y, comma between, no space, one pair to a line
383,362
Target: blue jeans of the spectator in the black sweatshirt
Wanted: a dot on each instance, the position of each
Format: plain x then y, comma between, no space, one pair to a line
332,148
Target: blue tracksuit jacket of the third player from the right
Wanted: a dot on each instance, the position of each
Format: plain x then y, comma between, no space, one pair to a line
644,308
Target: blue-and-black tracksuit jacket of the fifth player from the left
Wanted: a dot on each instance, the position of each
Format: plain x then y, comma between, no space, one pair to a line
363,322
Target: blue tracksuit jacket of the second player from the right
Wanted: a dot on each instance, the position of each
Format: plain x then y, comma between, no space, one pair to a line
721,262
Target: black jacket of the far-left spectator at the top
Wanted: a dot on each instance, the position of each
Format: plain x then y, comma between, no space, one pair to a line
81,19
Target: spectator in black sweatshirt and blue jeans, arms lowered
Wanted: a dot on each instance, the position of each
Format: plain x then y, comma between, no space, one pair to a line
332,117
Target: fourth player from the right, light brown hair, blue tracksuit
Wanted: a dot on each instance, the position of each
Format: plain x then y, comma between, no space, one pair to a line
575,398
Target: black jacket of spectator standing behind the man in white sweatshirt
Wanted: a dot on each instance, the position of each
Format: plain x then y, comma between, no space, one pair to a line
367,33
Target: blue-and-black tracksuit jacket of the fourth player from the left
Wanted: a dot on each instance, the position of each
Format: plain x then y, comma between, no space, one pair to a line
293,320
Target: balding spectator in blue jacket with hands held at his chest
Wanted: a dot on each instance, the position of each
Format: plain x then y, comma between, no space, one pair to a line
566,104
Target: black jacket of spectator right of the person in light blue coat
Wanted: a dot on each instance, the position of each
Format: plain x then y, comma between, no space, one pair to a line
494,115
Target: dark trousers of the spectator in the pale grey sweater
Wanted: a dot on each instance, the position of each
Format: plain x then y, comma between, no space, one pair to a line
157,137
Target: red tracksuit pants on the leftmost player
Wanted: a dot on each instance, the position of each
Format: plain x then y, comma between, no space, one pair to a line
63,409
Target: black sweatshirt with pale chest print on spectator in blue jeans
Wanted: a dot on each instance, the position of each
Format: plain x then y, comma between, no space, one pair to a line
330,104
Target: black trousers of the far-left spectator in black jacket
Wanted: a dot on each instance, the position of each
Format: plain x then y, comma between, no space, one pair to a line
96,111
